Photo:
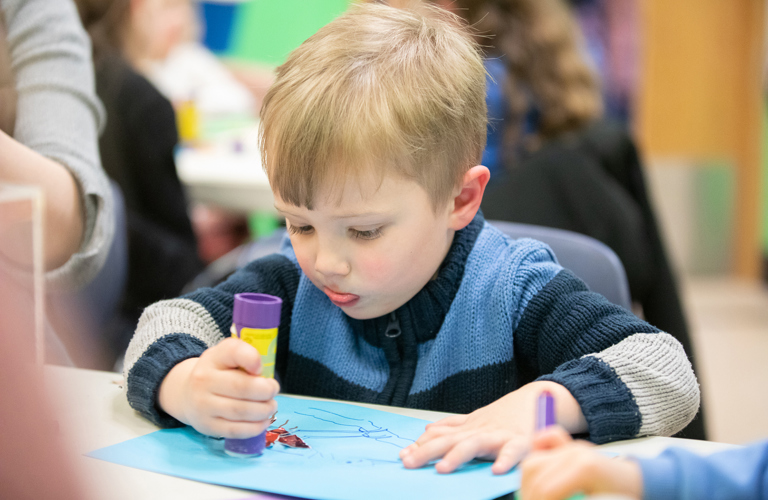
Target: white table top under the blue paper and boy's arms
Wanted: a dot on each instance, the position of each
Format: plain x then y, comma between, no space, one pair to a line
93,412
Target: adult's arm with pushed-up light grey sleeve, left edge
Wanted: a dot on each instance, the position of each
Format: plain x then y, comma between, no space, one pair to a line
59,116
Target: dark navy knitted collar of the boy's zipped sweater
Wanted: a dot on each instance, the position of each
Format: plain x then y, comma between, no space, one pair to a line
423,315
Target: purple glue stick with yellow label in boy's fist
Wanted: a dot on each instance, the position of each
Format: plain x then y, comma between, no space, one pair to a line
255,319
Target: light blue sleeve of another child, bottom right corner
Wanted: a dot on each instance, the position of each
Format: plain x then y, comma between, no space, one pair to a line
680,474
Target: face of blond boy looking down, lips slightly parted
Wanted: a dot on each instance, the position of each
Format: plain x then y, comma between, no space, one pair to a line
373,251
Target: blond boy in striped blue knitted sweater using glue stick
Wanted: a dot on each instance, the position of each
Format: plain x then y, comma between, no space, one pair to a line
395,290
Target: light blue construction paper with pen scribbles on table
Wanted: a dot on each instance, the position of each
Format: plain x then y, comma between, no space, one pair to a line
353,455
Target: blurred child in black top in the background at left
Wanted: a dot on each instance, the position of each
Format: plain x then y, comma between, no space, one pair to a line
137,149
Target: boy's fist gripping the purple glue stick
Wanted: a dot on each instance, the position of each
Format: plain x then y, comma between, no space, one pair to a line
221,393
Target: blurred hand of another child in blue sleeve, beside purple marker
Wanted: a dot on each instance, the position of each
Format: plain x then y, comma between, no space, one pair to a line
559,468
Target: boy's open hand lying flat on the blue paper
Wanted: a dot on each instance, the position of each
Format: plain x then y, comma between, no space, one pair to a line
503,431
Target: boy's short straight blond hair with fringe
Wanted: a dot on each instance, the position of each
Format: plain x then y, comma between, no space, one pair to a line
378,90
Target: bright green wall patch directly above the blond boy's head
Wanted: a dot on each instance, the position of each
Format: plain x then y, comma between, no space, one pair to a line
266,31
